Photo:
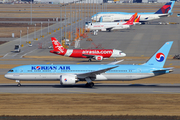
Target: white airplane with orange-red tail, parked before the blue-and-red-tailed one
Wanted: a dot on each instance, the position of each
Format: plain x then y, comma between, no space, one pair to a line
108,26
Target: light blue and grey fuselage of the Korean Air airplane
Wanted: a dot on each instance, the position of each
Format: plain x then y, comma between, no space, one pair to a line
53,72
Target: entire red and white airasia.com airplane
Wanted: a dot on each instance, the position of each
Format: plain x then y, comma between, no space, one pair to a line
97,54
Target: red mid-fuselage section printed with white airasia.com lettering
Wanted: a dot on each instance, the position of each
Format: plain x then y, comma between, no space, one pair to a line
101,52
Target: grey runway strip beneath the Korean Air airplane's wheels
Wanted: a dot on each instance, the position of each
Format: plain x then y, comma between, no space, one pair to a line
99,88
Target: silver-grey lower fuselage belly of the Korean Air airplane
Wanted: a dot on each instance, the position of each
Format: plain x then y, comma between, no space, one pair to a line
56,76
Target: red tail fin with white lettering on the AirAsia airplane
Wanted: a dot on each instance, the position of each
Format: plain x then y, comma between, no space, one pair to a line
57,46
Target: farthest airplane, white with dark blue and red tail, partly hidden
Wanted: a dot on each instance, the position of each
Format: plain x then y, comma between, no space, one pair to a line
164,11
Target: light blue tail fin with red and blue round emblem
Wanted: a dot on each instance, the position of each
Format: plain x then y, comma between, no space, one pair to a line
159,58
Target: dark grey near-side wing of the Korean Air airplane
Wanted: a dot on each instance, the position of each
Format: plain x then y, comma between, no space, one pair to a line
94,73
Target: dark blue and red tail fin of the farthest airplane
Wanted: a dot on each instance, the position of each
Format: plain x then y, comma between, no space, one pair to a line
166,8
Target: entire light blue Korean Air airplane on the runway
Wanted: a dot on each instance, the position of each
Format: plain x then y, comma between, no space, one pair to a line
70,74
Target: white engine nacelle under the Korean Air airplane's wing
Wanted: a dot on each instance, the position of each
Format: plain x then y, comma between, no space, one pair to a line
68,79
